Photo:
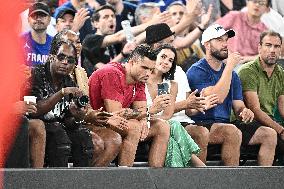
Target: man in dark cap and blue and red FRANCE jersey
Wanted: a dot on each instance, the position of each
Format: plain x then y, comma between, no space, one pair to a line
36,43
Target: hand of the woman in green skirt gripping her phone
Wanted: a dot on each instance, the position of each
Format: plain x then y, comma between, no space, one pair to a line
160,103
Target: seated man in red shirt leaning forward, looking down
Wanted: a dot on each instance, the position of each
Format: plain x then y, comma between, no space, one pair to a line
118,87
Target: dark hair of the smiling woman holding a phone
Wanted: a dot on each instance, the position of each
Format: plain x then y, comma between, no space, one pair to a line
171,73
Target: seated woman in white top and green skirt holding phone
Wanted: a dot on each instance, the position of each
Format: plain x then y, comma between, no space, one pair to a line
182,150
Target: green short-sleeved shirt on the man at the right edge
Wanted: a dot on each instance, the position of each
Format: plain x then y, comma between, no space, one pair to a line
254,78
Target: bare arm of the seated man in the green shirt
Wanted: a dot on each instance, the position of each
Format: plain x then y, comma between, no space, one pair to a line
252,102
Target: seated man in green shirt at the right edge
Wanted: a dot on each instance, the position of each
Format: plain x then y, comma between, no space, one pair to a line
263,86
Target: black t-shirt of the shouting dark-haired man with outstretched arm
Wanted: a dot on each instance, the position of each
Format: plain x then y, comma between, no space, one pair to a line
93,53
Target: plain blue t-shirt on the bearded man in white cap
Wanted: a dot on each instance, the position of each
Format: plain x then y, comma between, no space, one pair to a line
201,75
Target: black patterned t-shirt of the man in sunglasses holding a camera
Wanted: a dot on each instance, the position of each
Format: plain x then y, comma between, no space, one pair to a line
43,88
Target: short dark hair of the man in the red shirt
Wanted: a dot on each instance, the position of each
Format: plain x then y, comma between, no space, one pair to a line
142,51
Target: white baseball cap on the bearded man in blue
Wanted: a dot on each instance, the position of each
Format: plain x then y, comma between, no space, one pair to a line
214,31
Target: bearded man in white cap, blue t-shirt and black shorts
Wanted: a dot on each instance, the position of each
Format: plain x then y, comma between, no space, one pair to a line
211,75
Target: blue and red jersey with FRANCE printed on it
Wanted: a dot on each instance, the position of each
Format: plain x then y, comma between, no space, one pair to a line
35,53
